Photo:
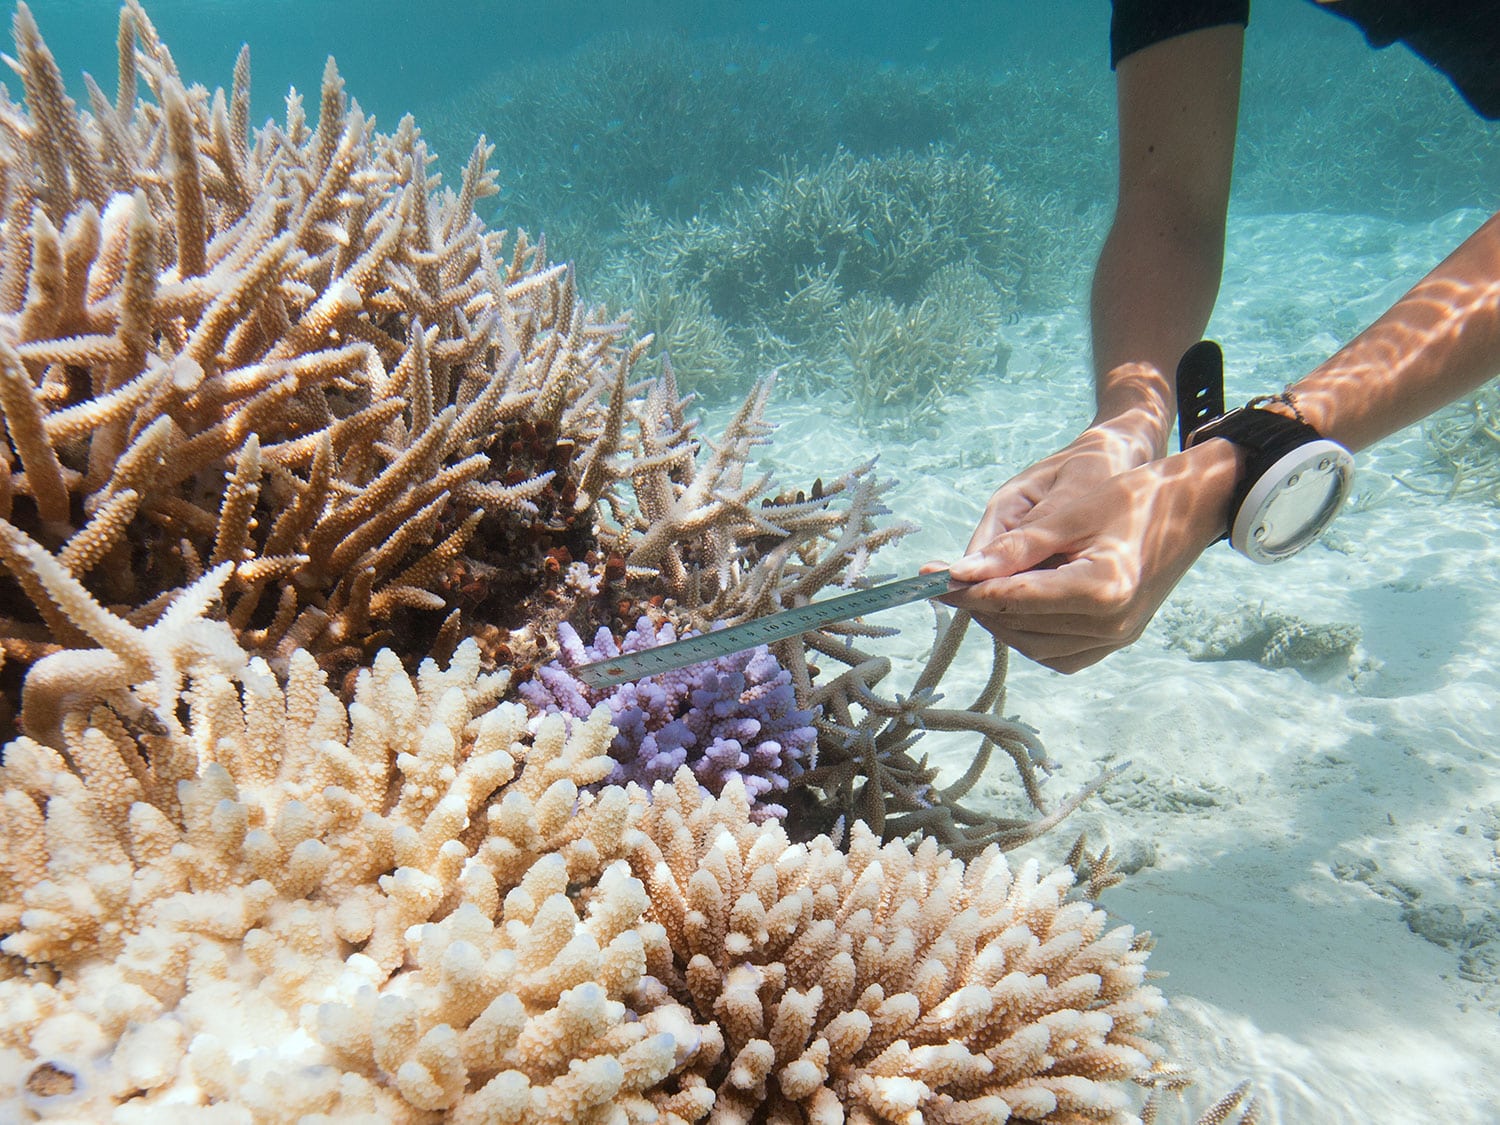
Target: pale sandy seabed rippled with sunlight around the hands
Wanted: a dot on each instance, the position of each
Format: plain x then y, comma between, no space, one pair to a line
1288,820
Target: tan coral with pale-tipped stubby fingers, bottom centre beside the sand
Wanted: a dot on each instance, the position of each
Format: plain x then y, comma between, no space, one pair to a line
887,985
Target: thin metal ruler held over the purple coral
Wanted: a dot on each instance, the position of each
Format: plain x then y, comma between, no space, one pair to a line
764,631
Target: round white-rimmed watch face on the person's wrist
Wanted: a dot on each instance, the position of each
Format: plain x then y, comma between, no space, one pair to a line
1294,502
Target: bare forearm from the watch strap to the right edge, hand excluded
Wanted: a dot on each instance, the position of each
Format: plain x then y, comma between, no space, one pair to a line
1438,343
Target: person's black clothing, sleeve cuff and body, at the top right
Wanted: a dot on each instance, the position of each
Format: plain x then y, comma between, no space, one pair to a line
1462,38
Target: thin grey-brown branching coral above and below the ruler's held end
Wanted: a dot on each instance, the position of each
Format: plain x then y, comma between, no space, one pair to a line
731,553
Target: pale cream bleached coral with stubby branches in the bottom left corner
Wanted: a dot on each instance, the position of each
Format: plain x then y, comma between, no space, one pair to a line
299,908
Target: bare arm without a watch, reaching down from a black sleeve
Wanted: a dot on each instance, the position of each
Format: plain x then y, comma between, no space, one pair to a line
1159,272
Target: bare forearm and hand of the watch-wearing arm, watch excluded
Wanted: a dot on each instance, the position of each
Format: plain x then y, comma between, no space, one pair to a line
1112,557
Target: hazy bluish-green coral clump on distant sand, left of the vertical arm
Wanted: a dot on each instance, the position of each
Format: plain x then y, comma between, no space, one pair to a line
884,278
